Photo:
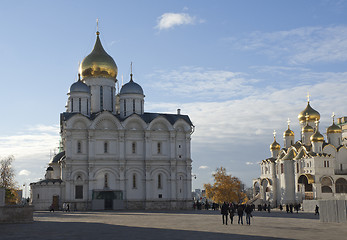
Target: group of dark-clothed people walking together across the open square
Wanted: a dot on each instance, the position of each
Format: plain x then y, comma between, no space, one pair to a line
229,210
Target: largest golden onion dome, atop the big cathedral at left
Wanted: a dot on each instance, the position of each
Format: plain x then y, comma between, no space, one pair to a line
98,63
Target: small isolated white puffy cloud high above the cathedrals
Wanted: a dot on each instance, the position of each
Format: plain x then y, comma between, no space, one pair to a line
170,20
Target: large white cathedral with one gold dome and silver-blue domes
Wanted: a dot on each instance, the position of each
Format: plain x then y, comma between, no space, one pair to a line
113,154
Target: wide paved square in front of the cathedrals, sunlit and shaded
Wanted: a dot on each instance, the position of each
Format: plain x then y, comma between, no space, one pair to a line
171,225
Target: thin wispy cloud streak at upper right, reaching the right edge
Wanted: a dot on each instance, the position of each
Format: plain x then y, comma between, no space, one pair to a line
306,45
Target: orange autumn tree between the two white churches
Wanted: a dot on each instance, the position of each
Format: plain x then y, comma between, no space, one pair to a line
225,188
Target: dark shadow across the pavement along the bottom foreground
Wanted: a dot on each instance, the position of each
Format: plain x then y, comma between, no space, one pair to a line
81,230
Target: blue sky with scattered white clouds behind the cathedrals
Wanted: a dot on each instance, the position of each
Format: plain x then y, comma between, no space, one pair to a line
239,69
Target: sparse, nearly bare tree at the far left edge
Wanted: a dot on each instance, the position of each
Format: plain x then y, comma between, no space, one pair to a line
7,180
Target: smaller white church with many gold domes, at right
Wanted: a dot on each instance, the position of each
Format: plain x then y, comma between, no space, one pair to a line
312,168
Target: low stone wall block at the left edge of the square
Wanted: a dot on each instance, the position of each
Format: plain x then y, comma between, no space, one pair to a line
16,214
